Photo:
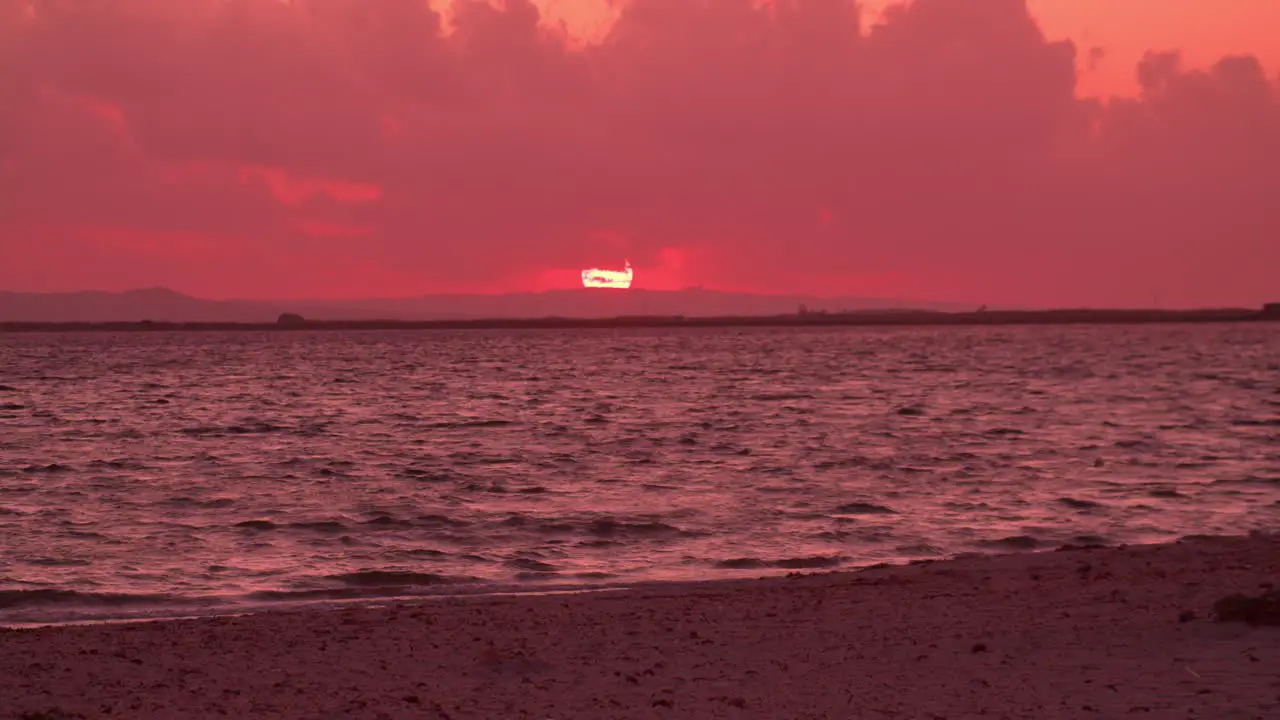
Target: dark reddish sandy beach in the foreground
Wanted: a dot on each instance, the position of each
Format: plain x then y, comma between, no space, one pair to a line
1081,634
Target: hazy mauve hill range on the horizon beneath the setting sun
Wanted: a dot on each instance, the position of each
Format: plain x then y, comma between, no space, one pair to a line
166,306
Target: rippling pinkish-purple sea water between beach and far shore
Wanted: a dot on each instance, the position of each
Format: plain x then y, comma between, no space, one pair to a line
161,473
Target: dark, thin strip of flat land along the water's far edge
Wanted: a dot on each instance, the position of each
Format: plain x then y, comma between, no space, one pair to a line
893,318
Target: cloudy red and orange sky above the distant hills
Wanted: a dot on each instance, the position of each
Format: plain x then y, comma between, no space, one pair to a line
1031,153
